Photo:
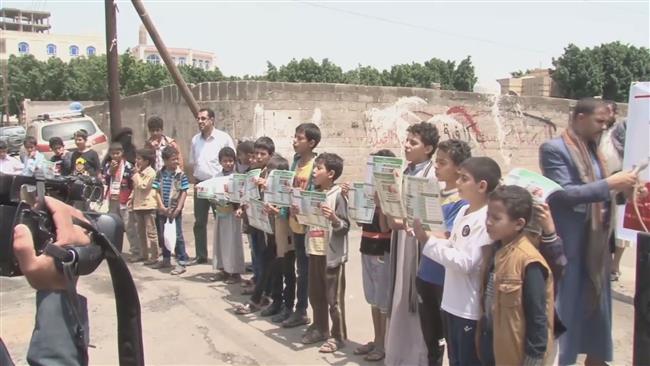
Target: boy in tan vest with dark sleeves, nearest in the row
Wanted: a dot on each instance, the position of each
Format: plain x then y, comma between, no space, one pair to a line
517,291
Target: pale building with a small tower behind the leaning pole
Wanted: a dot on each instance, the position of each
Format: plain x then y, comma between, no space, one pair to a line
181,56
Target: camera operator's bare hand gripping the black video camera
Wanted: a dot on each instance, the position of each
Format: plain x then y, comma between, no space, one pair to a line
40,270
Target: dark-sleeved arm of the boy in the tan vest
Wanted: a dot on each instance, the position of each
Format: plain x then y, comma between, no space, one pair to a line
534,301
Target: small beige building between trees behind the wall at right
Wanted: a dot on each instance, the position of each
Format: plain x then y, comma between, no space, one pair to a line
535,83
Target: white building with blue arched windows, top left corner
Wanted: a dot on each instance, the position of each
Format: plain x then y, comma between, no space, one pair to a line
27,32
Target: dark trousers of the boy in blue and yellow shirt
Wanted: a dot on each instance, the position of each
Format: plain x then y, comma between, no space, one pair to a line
433,330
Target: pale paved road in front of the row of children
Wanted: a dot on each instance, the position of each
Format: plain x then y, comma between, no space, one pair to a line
189,321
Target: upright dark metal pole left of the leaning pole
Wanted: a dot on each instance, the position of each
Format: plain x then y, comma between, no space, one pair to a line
112,60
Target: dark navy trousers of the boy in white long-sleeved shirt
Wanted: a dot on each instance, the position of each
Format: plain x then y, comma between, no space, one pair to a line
461,342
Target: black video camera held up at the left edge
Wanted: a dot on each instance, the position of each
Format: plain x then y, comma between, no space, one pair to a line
14,211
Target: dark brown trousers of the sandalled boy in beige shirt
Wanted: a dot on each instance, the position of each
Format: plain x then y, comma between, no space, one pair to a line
327,296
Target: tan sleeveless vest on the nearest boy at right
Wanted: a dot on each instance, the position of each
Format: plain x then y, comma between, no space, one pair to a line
509,324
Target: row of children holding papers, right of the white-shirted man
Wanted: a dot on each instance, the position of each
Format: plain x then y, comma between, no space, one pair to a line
490,272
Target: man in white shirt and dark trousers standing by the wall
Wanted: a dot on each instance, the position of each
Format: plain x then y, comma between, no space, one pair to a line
204,160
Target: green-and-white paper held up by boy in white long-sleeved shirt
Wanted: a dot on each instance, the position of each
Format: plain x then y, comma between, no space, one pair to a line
423,201
